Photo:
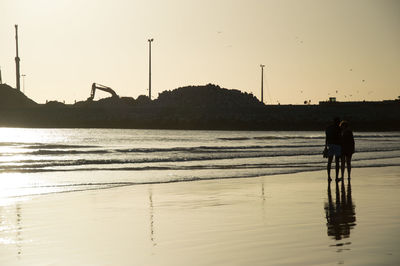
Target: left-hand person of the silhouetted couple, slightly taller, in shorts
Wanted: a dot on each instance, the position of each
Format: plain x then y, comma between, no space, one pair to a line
333,145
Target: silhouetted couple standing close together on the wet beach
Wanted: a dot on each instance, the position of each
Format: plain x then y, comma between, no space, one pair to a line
339,143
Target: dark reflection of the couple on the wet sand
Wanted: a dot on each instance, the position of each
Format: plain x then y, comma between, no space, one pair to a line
340,214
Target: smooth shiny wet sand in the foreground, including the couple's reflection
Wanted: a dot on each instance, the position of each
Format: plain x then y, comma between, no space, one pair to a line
293,219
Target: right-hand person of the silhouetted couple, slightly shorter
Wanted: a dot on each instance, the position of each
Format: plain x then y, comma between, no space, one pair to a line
347,147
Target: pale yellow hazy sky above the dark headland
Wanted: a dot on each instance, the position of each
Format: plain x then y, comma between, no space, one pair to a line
311,49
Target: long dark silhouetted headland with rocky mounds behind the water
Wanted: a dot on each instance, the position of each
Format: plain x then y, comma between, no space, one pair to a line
206,107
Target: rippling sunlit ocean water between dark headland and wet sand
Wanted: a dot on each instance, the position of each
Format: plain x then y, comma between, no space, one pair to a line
41,161
